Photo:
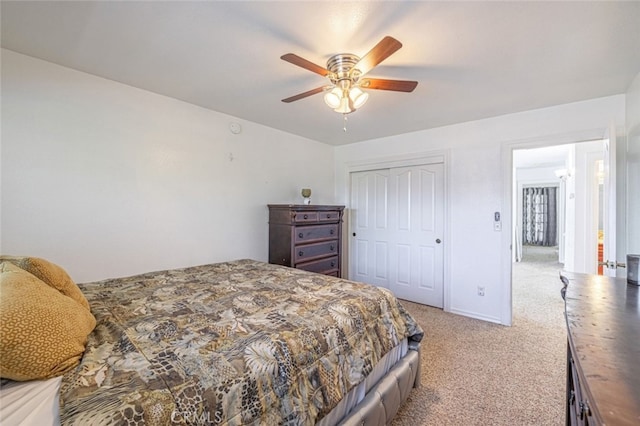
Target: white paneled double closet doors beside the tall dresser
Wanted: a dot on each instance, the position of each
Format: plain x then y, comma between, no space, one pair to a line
398,222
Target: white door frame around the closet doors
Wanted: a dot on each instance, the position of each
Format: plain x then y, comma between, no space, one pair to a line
389,162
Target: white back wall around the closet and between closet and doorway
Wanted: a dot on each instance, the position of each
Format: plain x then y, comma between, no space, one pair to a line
478,166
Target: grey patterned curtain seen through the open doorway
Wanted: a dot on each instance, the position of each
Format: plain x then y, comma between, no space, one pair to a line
539,216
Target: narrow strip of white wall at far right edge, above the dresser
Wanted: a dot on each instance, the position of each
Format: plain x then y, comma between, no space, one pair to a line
633,167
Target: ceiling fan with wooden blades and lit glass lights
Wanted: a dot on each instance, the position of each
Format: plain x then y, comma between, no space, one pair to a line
345,71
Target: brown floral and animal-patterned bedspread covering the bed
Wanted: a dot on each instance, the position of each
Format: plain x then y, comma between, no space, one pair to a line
232,343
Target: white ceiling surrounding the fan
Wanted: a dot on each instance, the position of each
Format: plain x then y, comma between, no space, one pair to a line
472,60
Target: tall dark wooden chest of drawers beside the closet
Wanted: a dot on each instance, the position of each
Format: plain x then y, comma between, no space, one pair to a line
306,237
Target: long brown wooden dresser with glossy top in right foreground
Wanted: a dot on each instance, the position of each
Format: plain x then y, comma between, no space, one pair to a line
603,350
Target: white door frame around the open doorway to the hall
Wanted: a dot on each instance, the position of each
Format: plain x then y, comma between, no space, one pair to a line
507,243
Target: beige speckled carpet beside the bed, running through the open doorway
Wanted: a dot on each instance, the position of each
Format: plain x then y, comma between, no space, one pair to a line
479,373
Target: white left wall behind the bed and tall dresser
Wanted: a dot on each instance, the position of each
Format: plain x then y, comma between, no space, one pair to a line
108,180
